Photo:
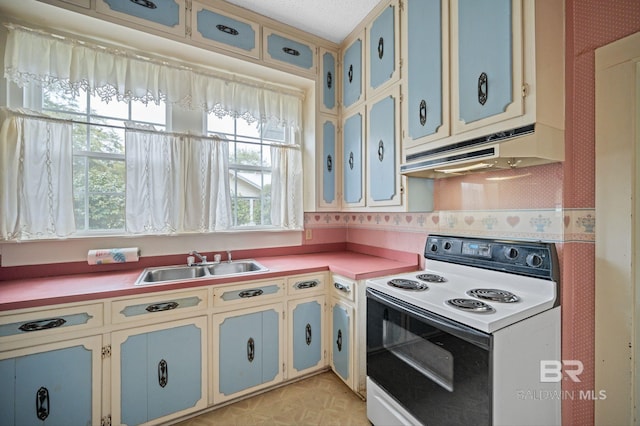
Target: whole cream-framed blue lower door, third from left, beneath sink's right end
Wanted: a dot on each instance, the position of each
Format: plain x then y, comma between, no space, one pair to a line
247,355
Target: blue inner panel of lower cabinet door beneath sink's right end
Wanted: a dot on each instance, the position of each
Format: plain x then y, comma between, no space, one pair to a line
248,348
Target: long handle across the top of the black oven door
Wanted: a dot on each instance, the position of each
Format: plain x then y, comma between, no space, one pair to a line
471,335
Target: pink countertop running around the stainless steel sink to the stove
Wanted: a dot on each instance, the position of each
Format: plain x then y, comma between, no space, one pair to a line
32,292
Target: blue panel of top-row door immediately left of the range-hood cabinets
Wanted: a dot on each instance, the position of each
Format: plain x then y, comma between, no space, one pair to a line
382,48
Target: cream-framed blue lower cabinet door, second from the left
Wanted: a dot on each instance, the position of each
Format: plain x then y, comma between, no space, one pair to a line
160,371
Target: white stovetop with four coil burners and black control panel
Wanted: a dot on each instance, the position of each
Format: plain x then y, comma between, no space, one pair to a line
485,284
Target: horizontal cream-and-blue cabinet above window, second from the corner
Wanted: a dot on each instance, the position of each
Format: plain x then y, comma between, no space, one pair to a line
224,30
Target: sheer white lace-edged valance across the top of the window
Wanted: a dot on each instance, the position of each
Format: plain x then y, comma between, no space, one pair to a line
123,75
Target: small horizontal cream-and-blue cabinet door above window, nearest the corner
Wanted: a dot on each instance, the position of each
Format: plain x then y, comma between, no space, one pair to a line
284,50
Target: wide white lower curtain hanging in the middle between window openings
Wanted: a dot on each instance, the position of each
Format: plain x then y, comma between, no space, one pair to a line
176,184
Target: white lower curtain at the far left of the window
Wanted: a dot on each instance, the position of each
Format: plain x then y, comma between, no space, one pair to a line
36,186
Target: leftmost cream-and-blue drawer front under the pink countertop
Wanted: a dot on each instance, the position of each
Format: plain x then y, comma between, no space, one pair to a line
51,321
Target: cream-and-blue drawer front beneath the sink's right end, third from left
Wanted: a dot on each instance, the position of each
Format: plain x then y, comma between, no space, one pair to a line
256,292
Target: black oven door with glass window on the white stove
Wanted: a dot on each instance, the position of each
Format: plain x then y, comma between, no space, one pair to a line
437,369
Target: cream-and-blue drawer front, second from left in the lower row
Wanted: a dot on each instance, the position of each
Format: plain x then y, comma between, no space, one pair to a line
157,305
